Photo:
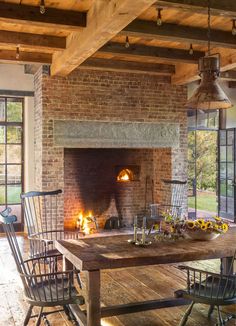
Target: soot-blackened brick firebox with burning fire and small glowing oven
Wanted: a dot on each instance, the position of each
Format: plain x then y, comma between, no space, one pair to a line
108,184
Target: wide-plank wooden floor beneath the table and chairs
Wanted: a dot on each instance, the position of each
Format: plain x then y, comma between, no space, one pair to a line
118,286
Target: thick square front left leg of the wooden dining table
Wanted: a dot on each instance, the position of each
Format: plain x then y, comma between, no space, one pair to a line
93,305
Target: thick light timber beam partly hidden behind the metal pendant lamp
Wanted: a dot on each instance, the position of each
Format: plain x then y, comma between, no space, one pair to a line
189,72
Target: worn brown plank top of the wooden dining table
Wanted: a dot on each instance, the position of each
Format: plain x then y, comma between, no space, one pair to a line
115,251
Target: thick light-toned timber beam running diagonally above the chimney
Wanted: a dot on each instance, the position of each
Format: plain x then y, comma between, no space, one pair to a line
104,20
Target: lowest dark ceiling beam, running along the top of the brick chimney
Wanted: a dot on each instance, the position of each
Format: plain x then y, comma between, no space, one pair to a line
128,66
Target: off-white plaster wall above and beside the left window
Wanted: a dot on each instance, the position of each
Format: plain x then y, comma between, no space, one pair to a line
12,78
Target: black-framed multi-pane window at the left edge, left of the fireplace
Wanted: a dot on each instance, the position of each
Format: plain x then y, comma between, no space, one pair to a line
11,155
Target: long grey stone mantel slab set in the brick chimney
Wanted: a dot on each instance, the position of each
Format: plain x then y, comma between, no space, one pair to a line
111,134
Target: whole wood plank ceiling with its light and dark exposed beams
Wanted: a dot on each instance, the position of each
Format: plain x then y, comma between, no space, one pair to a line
92,34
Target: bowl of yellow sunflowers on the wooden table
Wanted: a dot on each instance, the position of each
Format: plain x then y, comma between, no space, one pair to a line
205,229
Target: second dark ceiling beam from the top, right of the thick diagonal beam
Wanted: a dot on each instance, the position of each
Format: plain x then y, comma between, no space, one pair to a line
178,33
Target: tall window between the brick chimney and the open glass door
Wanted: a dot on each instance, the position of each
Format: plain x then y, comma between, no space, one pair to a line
202,163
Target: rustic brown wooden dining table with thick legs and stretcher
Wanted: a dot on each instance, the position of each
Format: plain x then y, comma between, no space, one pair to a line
95,254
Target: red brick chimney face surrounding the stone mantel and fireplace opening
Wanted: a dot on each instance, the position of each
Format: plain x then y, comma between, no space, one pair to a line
106,96
